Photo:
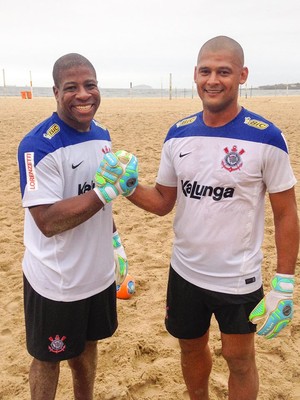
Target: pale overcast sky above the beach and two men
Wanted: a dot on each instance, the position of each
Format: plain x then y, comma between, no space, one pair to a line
144,41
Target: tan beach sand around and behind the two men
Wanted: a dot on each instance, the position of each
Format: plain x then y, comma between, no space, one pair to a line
141,361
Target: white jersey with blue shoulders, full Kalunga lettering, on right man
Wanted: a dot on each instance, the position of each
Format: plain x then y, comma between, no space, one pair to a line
221,175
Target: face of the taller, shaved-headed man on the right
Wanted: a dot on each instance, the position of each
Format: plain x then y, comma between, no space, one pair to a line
218,76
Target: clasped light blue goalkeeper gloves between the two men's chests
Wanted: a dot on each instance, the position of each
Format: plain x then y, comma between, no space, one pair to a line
117,174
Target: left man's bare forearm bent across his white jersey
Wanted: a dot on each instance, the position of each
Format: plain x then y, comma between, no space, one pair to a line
66,214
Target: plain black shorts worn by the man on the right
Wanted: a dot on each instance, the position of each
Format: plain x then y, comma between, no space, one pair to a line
190,308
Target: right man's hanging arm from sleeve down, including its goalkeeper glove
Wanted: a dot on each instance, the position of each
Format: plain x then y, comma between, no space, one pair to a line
275,311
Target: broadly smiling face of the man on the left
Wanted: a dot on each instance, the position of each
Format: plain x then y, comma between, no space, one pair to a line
77,97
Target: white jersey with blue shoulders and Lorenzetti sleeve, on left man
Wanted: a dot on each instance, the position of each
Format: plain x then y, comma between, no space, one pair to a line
57,162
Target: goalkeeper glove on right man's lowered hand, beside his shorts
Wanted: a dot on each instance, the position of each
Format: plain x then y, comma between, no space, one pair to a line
275,311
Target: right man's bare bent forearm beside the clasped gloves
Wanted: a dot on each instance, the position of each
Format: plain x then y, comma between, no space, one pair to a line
158,200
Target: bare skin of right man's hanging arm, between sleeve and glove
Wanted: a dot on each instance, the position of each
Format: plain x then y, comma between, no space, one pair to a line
286,230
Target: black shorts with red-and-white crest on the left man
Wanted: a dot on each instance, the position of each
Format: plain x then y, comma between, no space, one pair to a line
57,330
